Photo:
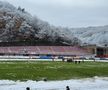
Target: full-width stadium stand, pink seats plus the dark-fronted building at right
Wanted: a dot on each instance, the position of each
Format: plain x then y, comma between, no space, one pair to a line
40,51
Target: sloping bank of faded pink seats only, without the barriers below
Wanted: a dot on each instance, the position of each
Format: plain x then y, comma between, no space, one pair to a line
54,50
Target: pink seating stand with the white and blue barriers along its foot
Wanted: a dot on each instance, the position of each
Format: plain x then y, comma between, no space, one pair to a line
42,52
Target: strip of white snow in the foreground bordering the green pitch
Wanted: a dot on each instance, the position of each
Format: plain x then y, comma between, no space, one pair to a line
96,83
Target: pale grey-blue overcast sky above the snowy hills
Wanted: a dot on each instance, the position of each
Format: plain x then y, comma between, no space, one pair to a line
67,13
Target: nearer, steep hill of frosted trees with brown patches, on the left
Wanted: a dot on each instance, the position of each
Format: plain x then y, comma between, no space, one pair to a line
18,27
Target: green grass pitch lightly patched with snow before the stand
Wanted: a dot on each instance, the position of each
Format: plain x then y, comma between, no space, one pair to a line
51,70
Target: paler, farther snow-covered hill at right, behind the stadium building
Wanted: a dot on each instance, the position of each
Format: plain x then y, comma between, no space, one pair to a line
92,35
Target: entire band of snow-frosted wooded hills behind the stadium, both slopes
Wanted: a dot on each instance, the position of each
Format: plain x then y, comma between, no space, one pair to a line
18,27
